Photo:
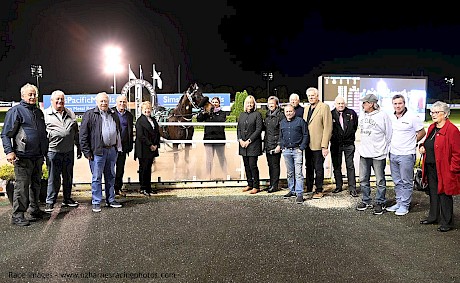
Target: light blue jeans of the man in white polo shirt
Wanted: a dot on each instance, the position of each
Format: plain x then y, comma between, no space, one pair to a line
402,172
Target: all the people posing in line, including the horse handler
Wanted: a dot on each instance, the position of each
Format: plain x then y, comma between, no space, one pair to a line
106,136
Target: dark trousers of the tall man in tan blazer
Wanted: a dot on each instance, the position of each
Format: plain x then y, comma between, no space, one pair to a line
314,169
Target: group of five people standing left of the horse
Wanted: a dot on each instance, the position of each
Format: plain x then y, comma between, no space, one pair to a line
32,137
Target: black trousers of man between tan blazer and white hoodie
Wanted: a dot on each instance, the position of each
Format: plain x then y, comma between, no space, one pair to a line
336,158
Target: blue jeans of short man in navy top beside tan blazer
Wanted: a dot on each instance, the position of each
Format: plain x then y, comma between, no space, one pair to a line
293,159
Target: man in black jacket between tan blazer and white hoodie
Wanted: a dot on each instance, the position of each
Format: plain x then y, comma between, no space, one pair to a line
344,126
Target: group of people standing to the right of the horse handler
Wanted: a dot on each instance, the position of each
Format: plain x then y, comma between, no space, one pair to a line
299,134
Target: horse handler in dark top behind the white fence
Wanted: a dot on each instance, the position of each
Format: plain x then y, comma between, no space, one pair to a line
215,114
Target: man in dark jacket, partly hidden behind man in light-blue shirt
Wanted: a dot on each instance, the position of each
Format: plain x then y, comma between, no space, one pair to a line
127,137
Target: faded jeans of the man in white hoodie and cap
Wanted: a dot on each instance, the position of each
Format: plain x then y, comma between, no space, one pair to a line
365,165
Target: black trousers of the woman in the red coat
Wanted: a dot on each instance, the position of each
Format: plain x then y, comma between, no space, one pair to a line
441,205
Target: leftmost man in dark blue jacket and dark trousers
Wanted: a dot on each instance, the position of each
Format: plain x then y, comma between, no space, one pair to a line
25,145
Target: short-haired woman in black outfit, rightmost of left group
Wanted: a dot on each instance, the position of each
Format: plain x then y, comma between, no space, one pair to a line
146,146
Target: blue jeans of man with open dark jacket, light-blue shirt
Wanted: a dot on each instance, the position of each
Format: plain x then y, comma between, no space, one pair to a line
103,164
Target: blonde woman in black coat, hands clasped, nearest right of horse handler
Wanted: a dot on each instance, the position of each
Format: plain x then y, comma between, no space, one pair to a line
249,129
